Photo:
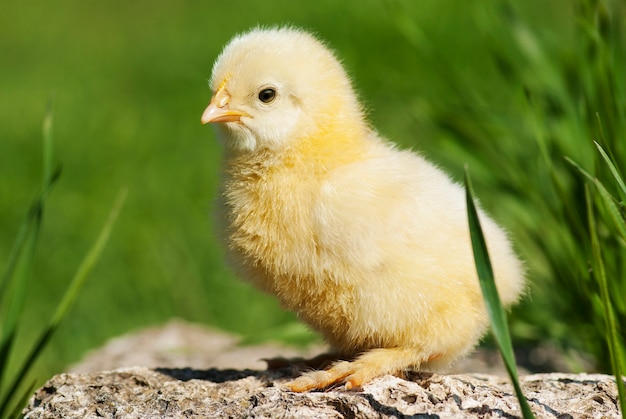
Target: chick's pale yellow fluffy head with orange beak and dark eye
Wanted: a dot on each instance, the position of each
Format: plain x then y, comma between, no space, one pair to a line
272,87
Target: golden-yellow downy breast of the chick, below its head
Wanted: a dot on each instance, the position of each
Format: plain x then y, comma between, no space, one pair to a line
267,216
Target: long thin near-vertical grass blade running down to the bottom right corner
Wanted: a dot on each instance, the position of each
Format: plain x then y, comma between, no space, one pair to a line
611,325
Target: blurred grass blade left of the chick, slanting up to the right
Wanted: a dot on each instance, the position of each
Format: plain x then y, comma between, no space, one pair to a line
68,299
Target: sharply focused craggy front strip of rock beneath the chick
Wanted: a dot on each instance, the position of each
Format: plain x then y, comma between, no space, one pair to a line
173,393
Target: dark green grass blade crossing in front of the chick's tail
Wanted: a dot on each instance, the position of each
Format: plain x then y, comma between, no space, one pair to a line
496,313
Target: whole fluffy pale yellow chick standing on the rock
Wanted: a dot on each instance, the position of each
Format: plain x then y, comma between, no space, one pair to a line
367,243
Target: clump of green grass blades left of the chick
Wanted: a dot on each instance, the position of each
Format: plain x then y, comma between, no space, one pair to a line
16,385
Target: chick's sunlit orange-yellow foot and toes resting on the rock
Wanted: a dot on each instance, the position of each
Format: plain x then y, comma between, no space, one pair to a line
366,367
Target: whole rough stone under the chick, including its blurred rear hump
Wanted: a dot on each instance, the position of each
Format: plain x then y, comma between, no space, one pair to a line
195,371
